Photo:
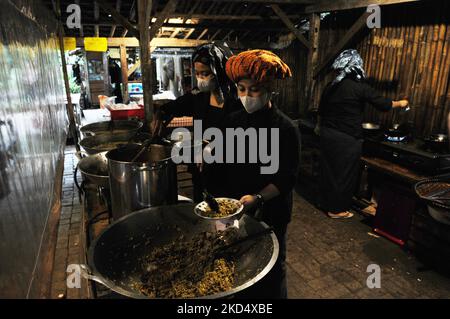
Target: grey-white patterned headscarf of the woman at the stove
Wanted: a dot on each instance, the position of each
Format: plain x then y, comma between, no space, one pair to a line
348,62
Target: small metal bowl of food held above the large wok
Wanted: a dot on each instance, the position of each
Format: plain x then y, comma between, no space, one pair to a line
230,211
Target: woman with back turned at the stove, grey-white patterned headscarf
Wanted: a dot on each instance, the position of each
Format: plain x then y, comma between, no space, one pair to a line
340,125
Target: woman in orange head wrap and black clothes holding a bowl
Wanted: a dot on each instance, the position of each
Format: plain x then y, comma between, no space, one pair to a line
267,195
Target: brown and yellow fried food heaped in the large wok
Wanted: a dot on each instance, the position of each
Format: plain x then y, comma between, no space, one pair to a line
187,269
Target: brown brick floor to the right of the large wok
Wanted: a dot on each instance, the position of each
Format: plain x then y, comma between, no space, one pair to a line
328,259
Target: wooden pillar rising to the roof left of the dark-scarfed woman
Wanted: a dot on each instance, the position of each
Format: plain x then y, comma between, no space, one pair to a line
144,12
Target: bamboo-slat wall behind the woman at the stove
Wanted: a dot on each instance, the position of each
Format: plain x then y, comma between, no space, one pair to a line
408,56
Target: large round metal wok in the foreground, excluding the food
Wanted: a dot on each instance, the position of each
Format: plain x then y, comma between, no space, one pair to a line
114,256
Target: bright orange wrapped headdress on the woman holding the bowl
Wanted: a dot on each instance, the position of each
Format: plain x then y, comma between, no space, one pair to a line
259,65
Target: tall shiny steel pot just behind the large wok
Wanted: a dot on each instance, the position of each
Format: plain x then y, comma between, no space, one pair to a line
148,182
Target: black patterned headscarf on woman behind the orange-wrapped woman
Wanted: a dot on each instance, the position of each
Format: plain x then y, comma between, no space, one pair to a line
216,56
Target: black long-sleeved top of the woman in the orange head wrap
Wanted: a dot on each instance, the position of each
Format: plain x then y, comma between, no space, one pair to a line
246,179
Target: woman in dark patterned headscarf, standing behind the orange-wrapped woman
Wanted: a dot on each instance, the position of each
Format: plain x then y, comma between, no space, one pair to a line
217,98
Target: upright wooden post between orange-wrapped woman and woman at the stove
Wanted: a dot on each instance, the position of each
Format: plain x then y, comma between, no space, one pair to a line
313,57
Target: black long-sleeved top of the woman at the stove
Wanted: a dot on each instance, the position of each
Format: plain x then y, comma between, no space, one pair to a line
342,105
